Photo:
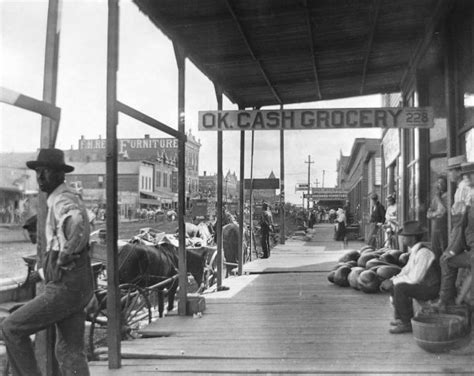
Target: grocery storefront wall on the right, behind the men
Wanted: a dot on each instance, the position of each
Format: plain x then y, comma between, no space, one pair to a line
442,78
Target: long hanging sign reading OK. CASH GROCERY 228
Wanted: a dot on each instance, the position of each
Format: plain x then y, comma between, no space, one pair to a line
384,117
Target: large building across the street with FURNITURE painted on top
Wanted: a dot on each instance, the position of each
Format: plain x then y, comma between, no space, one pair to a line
147,172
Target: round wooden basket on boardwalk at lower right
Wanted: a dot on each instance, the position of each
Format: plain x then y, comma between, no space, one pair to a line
440,332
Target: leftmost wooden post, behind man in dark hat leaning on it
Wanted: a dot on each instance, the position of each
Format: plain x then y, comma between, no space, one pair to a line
45,340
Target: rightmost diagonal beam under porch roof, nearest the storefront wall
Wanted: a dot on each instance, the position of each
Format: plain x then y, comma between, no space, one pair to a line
439,14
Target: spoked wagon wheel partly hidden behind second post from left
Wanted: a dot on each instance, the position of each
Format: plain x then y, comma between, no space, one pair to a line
135,312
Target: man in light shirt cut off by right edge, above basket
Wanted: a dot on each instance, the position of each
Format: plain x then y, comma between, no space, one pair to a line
459,251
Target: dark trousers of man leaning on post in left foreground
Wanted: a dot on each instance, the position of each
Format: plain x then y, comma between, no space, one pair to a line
61,304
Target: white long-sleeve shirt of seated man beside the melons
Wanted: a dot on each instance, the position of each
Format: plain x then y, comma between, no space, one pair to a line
418,264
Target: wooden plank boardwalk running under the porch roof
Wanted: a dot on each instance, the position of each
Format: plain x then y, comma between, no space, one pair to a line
284,317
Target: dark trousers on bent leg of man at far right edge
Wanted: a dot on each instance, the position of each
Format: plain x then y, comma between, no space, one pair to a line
449,273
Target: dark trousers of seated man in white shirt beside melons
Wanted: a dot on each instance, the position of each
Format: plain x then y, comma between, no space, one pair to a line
403,293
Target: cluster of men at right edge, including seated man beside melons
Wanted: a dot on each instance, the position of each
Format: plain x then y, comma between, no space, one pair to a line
432,268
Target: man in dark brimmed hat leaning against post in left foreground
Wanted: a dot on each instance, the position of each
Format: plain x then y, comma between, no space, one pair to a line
67,274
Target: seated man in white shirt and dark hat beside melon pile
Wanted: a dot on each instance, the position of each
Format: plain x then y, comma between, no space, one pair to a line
419,278
